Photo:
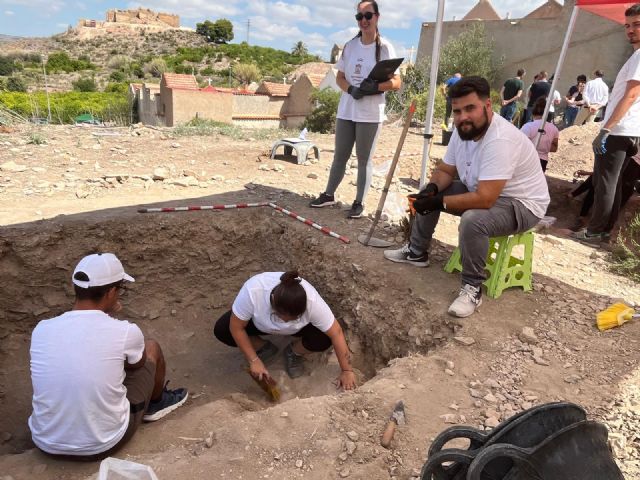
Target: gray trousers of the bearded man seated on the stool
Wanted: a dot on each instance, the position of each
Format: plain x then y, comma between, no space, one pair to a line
507,216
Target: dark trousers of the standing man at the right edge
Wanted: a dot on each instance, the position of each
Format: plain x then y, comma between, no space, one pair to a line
607,182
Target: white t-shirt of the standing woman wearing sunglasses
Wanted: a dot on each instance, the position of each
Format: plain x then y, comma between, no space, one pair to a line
356,63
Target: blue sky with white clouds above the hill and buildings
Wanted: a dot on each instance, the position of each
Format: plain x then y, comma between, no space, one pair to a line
274,23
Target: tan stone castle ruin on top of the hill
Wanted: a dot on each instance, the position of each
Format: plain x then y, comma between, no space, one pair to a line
125,21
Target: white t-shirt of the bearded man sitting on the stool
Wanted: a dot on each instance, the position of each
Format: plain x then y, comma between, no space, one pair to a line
503,153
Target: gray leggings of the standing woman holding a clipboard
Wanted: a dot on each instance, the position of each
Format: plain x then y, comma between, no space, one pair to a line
365,136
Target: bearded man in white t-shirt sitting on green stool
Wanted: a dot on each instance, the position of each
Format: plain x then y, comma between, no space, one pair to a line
501,190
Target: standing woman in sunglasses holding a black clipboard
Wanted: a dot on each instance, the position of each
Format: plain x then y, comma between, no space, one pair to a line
361,108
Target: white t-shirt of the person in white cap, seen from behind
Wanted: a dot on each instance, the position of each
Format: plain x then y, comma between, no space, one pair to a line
77,369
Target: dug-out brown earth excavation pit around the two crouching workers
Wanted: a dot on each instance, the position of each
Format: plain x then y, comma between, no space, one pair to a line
188,269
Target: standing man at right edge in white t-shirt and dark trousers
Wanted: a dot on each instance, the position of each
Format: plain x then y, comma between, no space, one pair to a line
617,141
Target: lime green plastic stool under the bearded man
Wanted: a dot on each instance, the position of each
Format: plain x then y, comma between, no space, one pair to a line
504,269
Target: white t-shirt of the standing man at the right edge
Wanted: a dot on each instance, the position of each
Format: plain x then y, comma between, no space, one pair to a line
629,126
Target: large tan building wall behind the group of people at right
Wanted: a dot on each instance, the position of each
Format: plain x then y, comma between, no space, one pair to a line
534,42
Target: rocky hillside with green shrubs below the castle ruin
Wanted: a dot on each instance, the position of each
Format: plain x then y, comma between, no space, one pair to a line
142,57
